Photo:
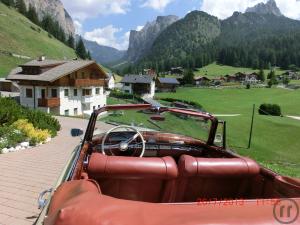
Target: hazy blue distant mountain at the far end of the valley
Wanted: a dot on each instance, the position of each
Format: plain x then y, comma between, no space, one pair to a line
103,54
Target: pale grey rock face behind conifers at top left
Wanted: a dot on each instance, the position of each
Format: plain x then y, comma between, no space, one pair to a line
56,9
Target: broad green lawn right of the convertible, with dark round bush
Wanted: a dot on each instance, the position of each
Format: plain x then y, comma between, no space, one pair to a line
275,139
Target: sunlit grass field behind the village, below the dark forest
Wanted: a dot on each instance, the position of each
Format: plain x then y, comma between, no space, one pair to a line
215,70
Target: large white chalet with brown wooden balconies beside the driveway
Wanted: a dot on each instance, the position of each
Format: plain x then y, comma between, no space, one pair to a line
69,88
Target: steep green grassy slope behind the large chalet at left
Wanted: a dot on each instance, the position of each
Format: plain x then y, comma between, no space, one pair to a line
20,36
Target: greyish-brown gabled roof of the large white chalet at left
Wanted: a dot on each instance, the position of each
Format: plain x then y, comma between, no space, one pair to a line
63,68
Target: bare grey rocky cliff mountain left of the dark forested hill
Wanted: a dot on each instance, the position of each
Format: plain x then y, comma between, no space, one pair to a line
141,41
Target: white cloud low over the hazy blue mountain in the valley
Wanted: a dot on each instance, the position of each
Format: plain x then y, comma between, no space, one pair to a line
107,36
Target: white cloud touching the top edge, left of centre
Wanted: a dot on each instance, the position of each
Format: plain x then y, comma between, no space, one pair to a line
81,10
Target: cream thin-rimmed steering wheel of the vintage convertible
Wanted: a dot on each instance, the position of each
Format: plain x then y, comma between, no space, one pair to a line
124,146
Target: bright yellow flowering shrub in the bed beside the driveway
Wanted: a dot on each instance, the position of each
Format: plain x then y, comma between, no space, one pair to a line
35,135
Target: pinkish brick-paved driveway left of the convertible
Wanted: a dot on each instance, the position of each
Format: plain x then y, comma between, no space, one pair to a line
25,174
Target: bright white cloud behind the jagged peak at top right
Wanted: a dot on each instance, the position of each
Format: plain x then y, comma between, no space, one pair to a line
225,8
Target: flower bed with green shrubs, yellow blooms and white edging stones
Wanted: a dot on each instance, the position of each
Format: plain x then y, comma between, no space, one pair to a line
22,128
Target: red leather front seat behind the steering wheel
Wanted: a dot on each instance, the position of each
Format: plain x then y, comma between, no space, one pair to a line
131,178
